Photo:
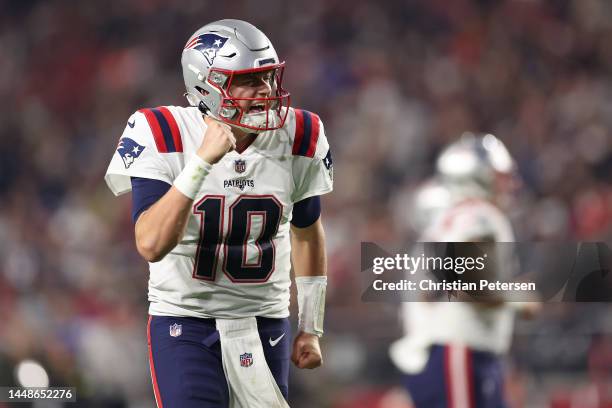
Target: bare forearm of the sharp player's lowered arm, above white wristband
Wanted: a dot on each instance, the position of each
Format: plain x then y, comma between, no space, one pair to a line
308,250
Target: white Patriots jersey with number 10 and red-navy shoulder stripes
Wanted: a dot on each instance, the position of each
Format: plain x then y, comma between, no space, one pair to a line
234,258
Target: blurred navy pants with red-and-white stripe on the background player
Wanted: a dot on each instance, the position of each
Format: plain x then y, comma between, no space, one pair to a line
458,377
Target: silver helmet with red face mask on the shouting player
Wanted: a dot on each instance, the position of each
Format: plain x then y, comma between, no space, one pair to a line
212,58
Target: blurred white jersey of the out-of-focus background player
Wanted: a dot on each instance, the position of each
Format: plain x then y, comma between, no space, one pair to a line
470,324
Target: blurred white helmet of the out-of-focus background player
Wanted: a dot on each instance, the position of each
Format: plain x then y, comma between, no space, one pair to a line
477,163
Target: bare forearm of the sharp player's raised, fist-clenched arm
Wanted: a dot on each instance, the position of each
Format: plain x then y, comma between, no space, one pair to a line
160,228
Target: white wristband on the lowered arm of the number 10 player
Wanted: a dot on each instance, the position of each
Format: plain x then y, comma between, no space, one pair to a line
311,303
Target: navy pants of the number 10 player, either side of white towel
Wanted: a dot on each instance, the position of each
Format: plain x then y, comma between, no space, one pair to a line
186,367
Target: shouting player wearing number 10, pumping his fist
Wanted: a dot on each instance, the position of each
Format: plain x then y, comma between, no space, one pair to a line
225,195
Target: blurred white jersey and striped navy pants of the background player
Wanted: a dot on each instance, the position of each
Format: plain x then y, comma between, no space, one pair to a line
450,350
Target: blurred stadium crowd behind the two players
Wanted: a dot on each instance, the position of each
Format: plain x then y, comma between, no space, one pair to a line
393,81
